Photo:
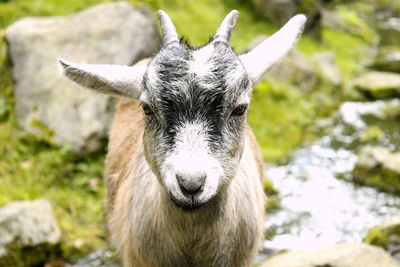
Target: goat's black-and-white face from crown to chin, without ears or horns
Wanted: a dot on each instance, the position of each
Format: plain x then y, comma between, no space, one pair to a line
195,104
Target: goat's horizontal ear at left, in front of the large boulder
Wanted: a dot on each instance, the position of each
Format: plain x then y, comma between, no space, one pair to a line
121,81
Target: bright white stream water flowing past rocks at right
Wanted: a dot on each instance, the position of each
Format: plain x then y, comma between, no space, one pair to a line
319,206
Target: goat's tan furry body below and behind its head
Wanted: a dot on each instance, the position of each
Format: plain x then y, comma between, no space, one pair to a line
147,229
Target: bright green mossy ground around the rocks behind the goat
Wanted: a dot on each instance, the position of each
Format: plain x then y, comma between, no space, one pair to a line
282,115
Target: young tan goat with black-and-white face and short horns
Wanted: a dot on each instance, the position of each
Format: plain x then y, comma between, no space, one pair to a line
183,169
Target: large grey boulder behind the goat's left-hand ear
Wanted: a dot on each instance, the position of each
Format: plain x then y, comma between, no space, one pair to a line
46,103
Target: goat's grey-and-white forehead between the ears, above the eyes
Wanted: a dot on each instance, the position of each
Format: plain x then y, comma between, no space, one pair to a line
212,67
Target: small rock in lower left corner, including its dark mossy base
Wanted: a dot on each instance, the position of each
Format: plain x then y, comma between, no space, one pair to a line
29,234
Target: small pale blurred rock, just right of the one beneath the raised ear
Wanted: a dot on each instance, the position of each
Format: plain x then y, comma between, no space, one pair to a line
325,63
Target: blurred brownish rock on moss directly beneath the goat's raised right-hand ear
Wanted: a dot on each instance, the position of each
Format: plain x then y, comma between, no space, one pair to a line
295,69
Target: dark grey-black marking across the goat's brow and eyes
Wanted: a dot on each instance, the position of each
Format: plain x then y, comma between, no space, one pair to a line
178,96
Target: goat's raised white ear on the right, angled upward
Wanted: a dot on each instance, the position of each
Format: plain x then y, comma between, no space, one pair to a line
260,59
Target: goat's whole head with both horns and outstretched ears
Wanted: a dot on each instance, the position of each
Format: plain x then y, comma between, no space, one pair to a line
195,102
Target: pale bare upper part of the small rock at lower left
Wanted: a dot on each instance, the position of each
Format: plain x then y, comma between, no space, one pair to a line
27,224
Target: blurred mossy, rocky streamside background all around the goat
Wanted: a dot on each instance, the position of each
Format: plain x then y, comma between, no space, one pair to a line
326,117
